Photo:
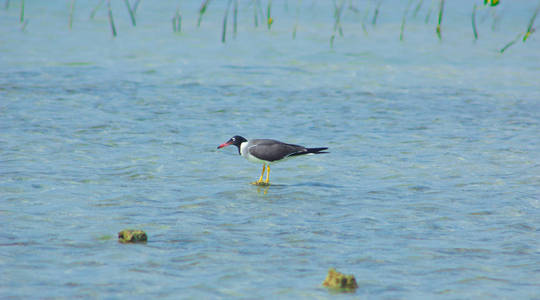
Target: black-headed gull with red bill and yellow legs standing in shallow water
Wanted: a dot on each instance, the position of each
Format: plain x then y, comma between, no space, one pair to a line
266,152
